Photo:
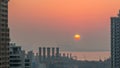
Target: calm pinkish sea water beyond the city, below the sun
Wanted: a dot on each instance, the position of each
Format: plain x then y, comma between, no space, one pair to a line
90,56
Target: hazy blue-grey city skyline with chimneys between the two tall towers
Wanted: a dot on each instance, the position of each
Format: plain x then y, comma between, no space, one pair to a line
48,57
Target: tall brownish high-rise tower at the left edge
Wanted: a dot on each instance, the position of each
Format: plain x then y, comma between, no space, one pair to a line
4,34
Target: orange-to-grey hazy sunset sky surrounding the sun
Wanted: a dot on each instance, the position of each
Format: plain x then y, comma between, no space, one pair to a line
53,23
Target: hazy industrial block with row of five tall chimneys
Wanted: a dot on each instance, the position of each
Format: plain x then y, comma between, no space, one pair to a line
48,53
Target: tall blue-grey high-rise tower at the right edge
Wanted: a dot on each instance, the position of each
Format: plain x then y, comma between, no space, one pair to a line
115,41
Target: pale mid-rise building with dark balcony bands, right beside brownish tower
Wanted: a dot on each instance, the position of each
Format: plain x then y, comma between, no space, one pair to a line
16,56
